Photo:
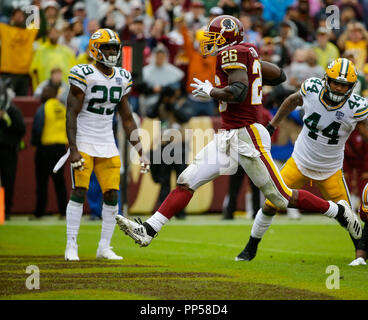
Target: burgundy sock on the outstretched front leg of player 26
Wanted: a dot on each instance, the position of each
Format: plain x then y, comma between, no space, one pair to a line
176,201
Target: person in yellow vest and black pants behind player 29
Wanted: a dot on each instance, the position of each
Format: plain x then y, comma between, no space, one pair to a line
49,138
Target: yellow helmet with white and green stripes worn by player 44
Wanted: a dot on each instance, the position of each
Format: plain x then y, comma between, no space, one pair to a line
340,70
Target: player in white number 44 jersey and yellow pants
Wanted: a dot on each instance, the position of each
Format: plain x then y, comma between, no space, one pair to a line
331,113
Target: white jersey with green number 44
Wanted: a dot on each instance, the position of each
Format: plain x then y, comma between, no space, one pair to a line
319,148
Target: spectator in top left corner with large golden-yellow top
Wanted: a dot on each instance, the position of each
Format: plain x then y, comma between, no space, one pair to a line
16,52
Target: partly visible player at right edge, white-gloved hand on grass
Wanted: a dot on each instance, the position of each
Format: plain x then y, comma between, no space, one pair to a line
361,253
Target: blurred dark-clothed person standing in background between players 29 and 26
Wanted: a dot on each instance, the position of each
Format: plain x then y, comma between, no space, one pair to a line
173,113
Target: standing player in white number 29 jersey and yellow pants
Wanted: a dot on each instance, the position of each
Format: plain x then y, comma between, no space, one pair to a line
96,92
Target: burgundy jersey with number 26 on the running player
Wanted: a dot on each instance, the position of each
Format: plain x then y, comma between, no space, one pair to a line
240,56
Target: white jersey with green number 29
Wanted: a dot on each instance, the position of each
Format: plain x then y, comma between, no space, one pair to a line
102,93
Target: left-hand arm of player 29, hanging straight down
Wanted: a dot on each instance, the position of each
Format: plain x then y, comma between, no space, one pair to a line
73,107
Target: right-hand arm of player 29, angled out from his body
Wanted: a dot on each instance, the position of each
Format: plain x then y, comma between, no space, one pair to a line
130,126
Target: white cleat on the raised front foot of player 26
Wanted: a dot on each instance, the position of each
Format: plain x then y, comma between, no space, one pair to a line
135,230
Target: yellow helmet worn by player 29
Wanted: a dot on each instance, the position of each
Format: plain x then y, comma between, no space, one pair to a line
99,38
